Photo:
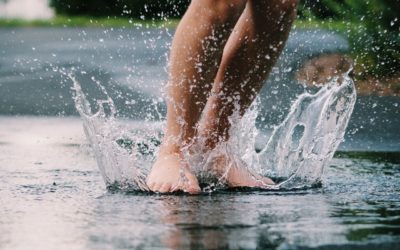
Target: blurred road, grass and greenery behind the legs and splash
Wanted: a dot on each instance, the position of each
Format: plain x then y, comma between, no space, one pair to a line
124,44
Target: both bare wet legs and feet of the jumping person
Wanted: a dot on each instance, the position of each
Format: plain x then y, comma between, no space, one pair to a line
220,56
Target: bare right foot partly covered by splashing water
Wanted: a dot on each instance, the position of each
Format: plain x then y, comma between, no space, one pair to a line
239,175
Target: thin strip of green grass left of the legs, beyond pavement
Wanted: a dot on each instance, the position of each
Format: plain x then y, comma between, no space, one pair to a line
85,21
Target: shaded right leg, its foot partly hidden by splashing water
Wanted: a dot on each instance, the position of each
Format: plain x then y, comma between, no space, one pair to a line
250,53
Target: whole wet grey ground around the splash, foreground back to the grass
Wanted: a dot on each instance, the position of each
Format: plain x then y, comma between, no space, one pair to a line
52,195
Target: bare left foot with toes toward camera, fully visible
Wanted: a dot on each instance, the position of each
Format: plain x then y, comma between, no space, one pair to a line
169,175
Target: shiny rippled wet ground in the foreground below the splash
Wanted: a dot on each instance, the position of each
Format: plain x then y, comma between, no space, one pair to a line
54,198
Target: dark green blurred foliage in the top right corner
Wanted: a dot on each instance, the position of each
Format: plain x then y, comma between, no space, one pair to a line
373,29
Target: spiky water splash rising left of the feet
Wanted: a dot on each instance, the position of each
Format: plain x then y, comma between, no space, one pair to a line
123,154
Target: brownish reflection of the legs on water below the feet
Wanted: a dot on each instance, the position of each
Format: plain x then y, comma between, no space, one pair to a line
205,222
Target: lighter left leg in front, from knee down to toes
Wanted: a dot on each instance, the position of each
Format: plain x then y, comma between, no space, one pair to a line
195,55
